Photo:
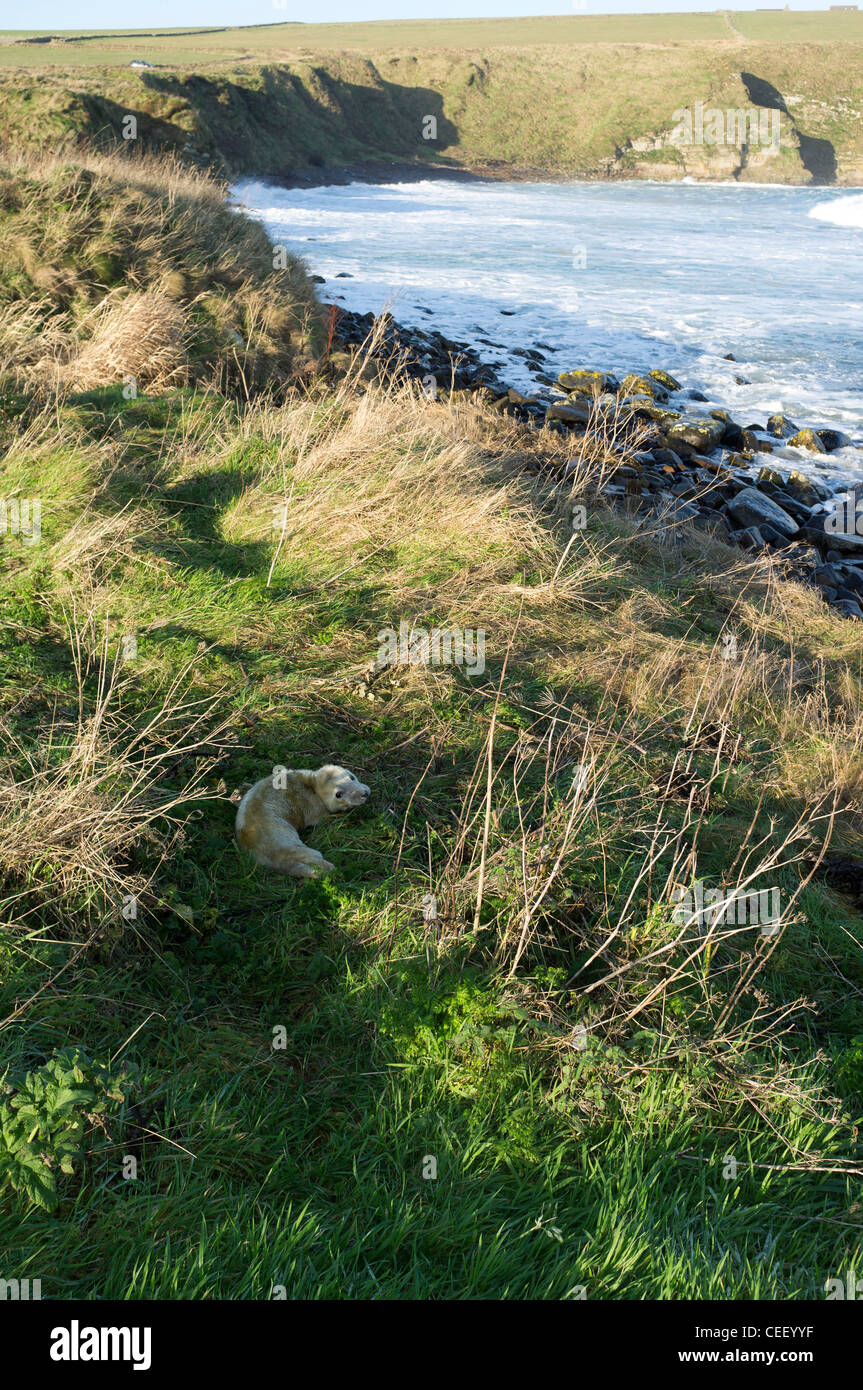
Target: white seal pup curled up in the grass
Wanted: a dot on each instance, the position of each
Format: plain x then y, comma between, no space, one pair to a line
273,814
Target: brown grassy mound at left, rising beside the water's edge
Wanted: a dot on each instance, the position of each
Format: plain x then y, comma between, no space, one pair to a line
79,234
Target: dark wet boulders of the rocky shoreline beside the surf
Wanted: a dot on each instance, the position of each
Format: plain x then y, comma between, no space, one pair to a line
677,465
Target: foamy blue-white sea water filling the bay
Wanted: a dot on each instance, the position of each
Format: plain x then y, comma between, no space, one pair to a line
615,276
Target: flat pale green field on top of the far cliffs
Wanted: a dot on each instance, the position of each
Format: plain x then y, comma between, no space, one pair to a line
277,41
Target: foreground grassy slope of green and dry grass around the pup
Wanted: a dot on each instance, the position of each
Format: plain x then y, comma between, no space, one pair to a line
304,1167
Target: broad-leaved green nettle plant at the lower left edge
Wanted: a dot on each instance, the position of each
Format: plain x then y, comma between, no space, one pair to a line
45,1120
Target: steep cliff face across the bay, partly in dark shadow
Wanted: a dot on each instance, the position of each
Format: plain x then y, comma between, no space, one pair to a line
775,113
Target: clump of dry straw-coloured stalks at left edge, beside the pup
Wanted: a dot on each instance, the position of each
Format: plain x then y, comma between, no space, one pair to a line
77,810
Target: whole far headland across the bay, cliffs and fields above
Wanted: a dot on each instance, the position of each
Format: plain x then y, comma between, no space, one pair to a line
579,97
